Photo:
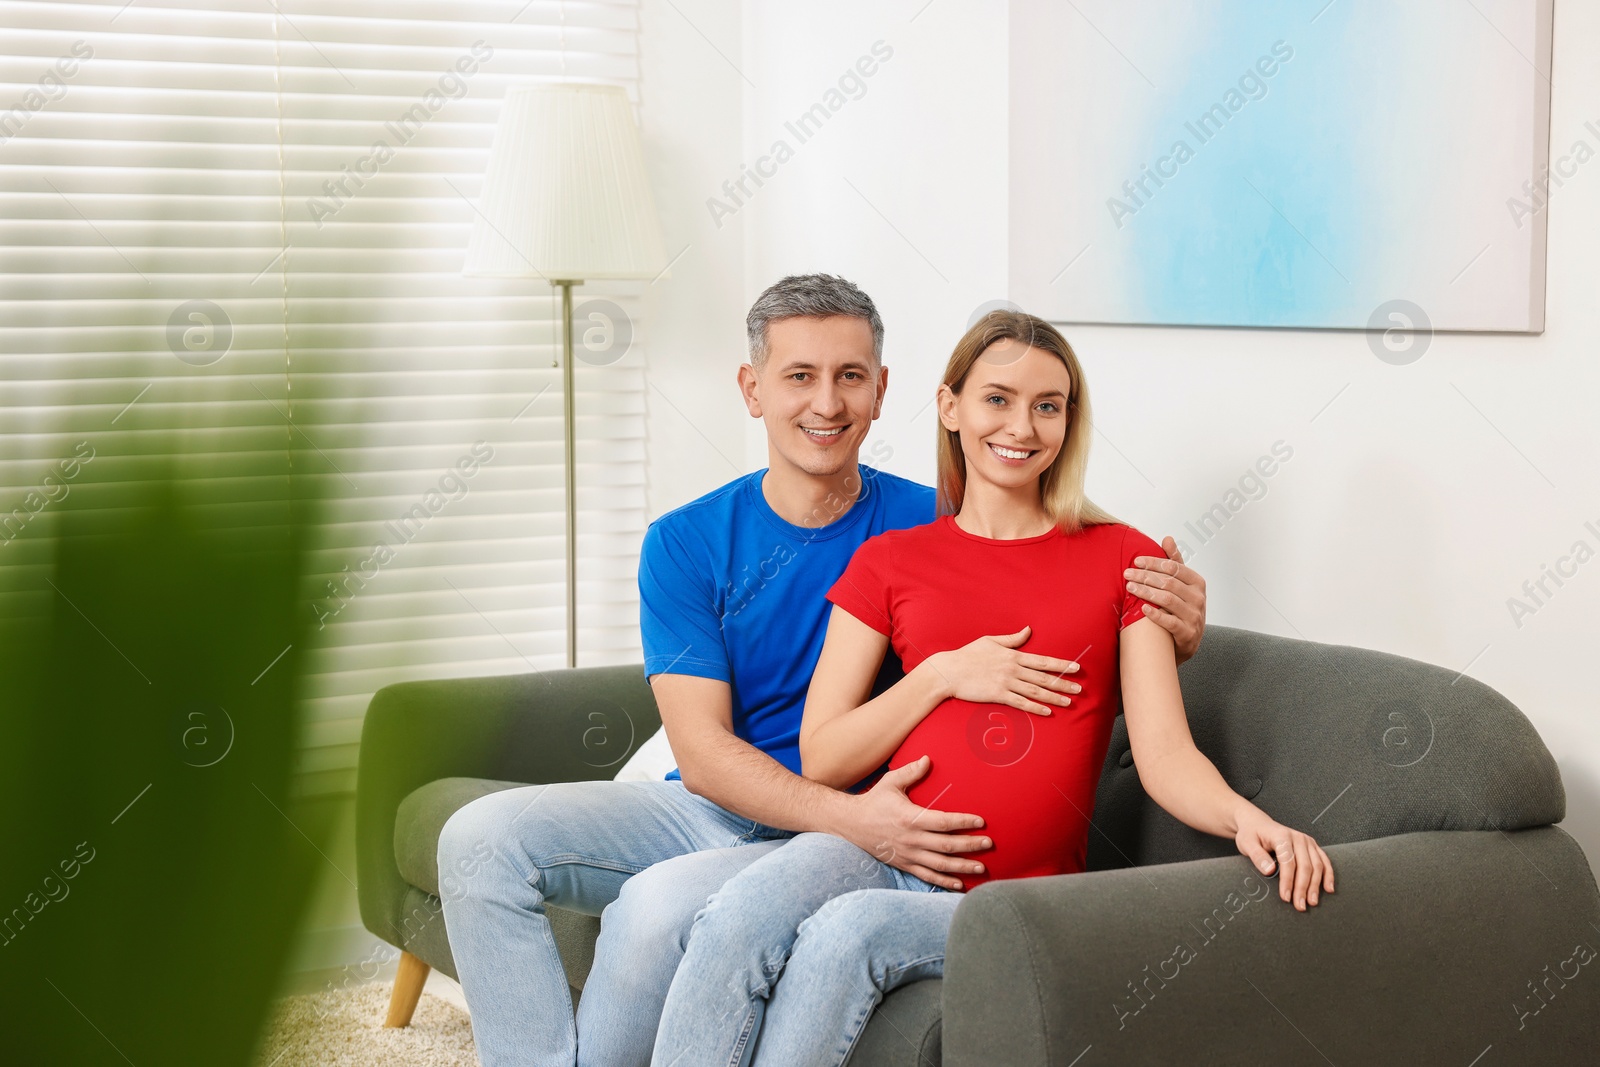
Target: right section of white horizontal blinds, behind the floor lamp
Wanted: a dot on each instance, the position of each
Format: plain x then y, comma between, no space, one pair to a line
439,396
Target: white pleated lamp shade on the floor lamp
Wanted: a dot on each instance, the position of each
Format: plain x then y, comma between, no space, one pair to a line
566,194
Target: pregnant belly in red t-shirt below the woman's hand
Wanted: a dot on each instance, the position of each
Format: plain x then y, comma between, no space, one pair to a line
1031,778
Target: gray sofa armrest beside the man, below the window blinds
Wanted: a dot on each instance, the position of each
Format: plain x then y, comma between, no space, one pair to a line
551,727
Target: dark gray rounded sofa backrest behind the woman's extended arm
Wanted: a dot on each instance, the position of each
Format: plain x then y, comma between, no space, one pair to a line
1342,743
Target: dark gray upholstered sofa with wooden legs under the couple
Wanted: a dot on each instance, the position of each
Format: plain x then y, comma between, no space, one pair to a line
1463,930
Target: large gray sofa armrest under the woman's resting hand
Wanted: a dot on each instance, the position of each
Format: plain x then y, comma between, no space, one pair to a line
1436,946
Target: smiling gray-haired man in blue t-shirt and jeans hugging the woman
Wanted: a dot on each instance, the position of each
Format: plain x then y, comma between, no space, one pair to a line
732,613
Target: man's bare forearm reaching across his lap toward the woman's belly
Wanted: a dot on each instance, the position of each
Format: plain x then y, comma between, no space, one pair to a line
750,783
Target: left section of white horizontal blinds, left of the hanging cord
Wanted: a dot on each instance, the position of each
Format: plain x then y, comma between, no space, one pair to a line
121,190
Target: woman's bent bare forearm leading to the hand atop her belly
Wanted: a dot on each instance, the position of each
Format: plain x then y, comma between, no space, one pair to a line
850,746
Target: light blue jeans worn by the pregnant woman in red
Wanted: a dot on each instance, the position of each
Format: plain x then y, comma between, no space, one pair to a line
790,959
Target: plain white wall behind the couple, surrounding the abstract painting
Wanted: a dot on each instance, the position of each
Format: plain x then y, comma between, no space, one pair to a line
1414,506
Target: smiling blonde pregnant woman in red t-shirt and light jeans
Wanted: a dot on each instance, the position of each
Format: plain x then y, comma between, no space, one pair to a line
790,959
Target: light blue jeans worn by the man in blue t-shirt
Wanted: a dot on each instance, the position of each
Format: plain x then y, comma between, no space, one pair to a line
582,847
